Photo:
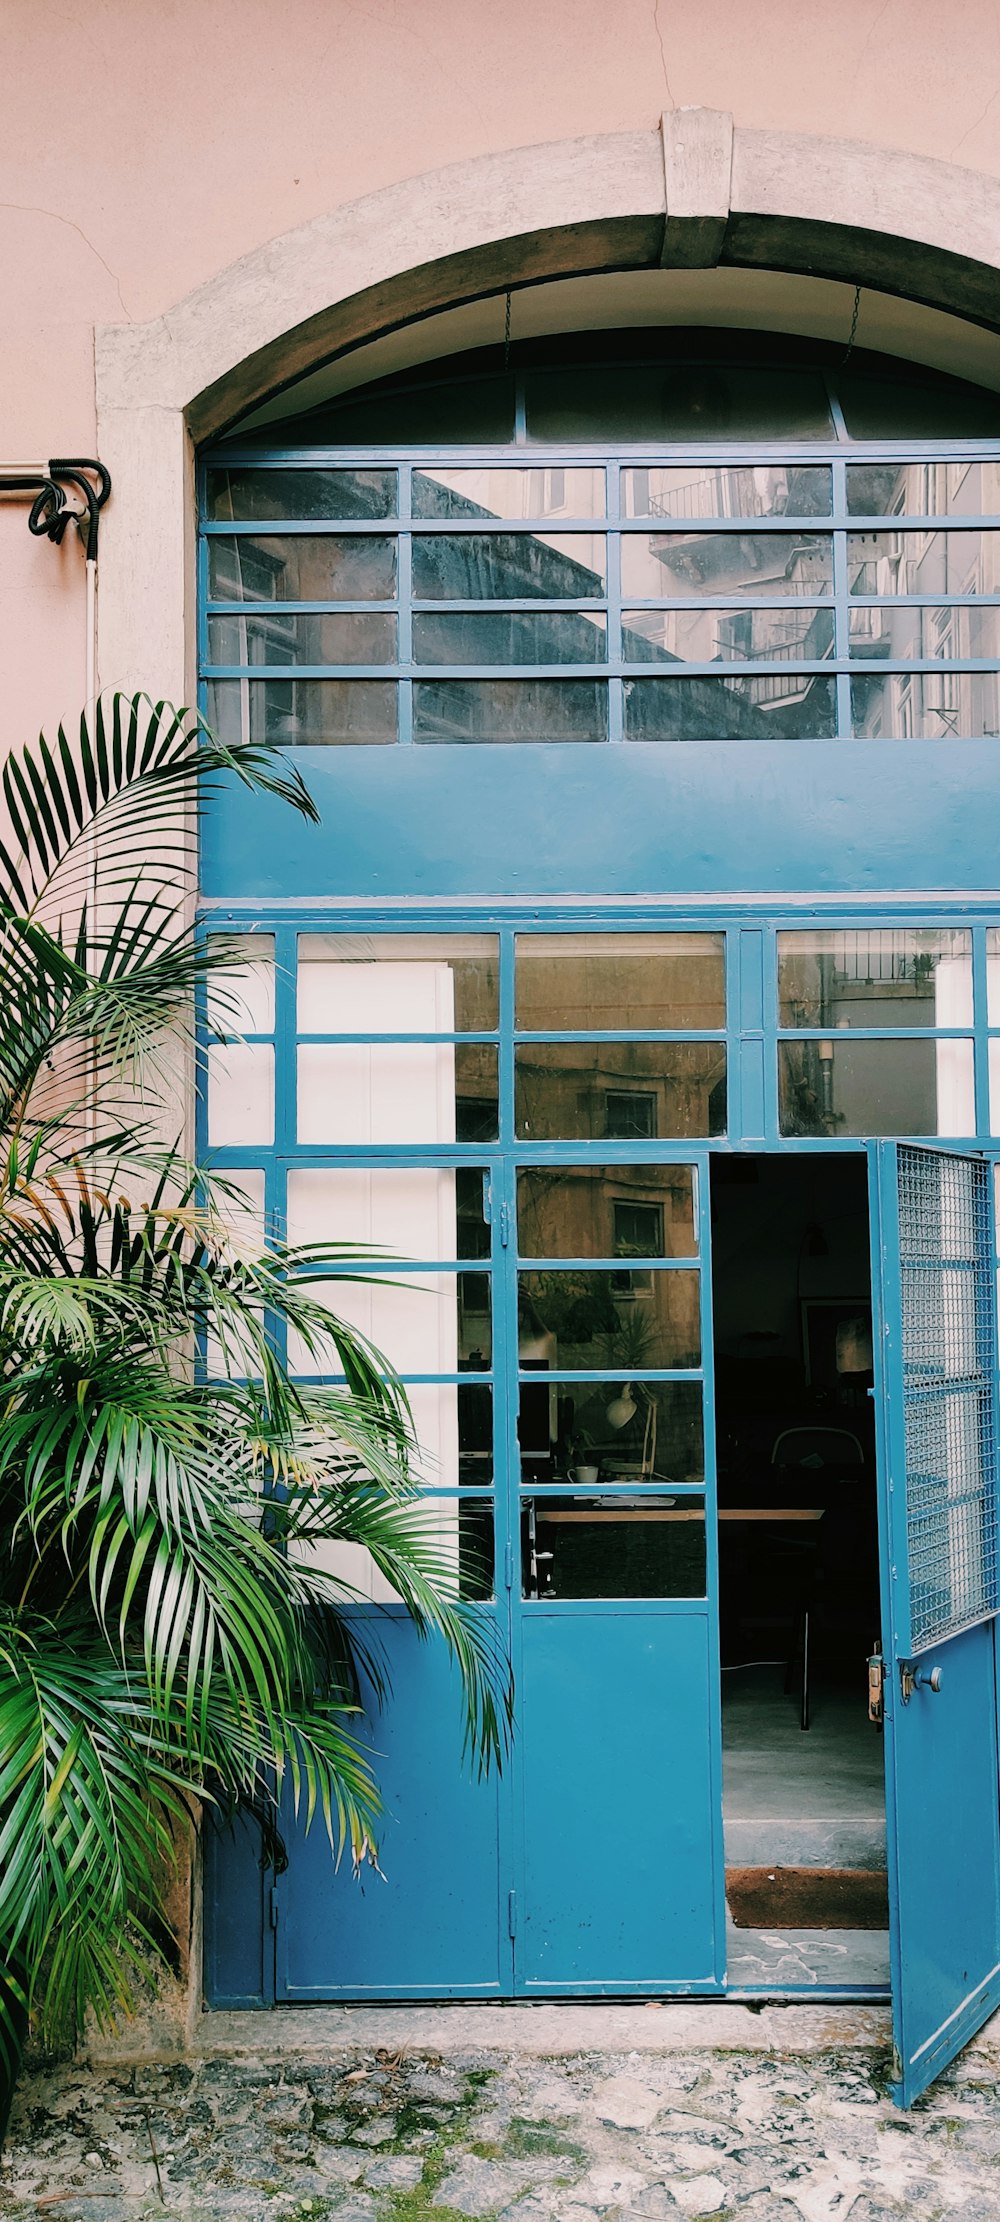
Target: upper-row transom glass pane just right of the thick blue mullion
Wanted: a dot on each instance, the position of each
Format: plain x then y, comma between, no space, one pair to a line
874,977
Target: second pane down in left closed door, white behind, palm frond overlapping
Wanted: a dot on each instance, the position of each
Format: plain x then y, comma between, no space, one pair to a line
421,1323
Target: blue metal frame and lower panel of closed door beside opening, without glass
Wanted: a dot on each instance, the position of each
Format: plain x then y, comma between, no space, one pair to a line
619,1776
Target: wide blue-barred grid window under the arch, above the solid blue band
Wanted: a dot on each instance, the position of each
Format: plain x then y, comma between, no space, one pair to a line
486,601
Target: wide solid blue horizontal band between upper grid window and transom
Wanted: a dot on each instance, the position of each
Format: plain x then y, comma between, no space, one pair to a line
561,819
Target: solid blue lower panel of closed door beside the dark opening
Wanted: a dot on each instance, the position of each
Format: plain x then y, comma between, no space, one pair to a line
621,1881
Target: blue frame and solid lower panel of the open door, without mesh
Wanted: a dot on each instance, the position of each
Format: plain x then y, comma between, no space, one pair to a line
943,1759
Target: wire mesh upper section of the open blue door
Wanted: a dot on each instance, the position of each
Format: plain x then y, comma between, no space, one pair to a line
950,1357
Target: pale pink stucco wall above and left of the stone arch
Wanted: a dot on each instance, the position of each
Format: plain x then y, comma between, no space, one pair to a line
150,143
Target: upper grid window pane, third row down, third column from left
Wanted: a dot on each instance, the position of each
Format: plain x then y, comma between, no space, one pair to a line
730,637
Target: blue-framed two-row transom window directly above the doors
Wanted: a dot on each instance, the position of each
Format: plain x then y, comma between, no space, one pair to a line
923,988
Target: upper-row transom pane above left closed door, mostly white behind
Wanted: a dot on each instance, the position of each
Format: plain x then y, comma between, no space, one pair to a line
397,983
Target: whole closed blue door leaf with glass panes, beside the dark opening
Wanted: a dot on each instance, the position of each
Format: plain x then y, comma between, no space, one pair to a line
617,1779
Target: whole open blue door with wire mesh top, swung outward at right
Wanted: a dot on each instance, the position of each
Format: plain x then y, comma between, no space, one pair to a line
937,1397
